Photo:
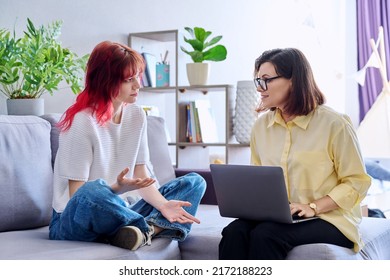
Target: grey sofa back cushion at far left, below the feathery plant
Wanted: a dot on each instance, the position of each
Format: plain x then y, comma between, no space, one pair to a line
25,172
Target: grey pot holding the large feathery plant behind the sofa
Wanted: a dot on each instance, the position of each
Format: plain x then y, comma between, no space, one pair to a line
26,106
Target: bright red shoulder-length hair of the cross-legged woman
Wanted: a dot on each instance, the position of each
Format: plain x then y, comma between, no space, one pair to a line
108,66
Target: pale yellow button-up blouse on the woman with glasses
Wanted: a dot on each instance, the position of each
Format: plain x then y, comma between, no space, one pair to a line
320,156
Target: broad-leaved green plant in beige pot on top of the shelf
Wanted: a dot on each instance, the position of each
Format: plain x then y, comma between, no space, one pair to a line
198,71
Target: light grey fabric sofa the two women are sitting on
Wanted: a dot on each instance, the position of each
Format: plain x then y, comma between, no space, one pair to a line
28,146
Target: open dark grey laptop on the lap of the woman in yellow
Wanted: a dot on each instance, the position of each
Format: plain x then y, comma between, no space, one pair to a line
252,192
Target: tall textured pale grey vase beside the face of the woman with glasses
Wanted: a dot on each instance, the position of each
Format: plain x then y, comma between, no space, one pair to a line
247,99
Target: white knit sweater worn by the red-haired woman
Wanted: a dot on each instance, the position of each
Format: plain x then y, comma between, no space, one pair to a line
89,151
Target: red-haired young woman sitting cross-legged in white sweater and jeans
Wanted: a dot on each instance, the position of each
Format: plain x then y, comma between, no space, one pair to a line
103,152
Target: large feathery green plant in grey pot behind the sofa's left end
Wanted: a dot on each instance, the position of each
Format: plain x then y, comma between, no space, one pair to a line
36,63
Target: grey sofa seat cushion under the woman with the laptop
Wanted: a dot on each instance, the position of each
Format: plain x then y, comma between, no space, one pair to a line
203,240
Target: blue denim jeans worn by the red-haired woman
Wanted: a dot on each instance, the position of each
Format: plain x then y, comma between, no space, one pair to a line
94,212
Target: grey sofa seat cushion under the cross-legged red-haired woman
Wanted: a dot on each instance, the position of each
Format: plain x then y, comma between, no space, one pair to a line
34,244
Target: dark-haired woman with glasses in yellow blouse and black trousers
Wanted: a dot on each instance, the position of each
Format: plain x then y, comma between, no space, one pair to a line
318,150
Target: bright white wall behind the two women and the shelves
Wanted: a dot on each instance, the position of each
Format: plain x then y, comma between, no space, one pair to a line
323,29
